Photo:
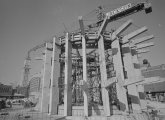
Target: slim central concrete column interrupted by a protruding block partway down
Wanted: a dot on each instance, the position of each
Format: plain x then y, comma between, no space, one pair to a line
85,75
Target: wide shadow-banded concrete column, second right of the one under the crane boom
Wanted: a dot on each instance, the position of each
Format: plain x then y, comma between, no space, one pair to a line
132,88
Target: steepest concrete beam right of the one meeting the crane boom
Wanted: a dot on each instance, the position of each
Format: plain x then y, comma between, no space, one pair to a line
121,29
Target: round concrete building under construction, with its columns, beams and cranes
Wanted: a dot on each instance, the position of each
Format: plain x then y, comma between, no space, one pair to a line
94,72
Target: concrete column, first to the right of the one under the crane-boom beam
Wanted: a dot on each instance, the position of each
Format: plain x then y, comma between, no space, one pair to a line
118,65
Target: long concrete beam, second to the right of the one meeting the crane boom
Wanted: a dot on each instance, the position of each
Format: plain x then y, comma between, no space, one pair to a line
133,34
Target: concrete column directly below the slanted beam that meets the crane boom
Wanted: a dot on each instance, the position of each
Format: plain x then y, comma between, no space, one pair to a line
105,95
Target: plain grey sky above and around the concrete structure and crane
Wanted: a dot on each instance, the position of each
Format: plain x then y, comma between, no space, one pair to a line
27,23
